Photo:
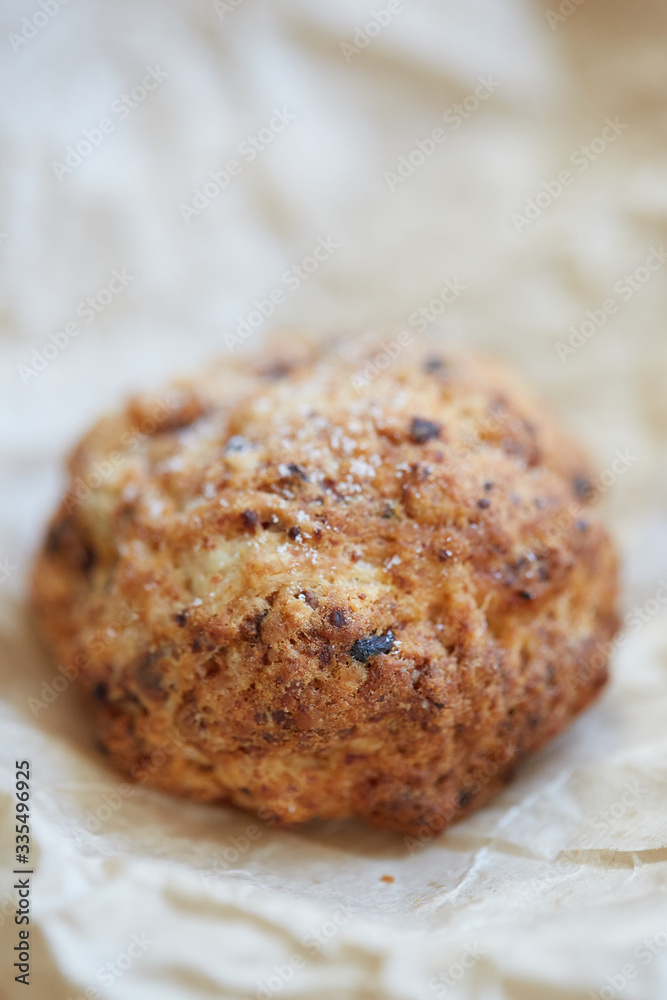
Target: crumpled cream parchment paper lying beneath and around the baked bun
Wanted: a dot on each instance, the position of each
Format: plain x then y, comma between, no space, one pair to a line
544,206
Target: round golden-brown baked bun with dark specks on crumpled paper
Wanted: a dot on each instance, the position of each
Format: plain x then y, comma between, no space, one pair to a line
310,596
